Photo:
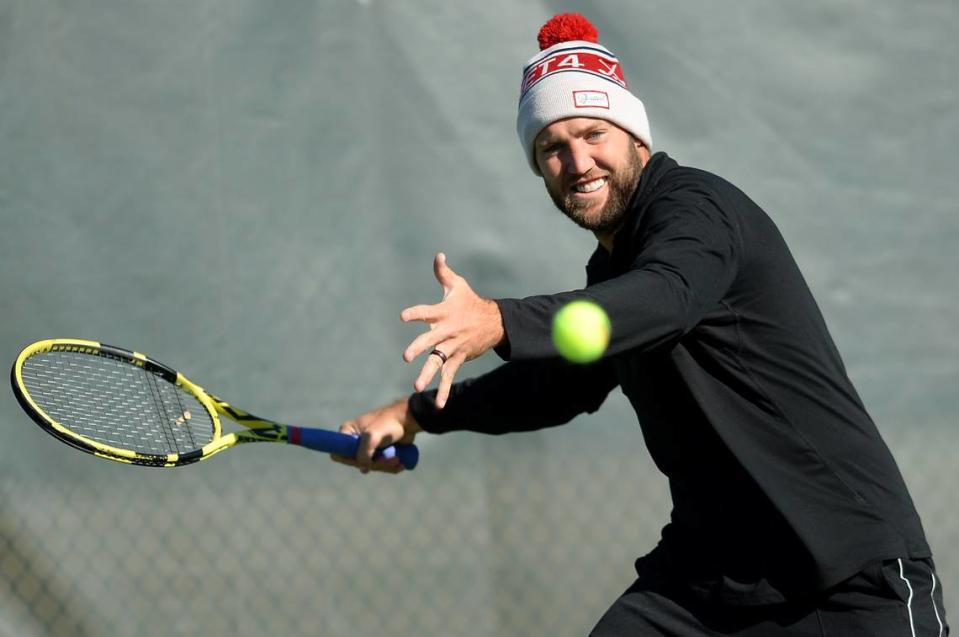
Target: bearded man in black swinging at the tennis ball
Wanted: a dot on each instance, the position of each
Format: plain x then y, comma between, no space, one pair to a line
790,516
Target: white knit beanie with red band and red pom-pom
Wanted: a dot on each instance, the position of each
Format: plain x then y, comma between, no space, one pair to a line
574,76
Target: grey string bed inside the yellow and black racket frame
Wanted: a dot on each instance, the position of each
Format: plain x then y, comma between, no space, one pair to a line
116,403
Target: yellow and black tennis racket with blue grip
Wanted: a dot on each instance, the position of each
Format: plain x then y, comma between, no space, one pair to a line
120,405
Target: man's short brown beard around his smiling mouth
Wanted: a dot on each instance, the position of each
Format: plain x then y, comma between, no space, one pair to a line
620,185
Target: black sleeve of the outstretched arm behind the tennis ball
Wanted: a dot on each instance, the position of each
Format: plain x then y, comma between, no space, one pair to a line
685,262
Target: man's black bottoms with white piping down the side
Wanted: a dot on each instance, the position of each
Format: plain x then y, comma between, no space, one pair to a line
898,598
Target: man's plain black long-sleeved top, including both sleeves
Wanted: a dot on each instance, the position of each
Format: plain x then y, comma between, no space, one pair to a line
781,483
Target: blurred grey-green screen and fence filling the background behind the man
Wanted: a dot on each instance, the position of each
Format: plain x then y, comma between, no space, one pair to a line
251,191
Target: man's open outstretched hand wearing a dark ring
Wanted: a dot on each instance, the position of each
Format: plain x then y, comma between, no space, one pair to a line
462,326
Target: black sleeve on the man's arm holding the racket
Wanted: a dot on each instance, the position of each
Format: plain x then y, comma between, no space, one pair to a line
517,396
